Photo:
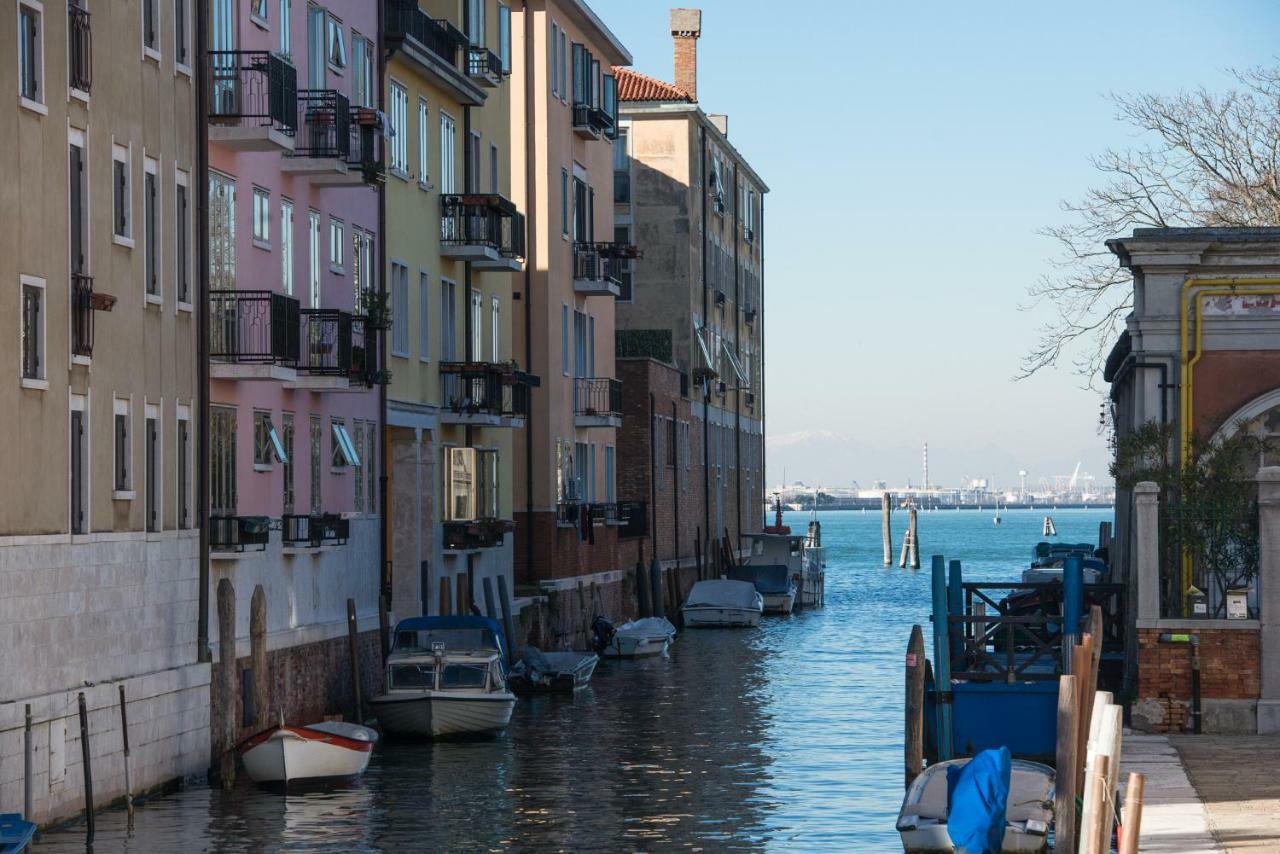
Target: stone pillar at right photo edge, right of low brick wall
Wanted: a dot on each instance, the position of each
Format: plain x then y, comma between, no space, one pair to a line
1269,599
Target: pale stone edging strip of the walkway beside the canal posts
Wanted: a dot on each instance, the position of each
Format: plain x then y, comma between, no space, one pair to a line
1174,818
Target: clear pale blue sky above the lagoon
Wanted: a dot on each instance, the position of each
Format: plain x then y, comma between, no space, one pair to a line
913,150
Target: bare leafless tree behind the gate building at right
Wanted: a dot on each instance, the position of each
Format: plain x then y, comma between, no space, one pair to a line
1210,159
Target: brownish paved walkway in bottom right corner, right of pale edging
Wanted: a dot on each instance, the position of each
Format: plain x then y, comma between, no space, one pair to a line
1238,777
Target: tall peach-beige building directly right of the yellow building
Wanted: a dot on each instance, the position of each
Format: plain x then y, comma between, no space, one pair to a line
564,67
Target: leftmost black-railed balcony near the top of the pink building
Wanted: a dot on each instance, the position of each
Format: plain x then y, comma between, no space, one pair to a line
253,101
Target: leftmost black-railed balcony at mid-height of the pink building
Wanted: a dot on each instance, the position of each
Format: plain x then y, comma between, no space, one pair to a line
254,336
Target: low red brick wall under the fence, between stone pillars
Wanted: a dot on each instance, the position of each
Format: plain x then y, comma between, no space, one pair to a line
1231,670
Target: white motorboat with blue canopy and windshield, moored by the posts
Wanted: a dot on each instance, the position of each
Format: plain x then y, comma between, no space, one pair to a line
446,677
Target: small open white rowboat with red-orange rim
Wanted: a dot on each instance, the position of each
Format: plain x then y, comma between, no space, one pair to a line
317,752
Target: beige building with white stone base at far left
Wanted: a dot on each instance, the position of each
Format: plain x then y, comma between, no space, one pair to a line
99,587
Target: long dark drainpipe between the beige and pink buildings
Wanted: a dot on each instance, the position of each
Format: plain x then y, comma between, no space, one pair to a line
203,652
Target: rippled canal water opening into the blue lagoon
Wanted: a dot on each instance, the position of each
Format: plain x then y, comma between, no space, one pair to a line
784,738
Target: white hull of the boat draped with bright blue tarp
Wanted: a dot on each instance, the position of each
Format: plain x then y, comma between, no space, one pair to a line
1028,811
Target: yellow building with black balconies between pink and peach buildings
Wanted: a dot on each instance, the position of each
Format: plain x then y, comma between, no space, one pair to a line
455,246
